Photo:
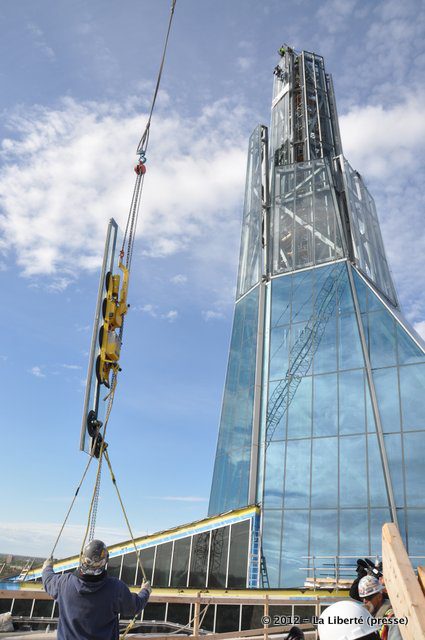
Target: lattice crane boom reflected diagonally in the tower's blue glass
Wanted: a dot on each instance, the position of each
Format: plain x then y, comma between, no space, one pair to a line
302,352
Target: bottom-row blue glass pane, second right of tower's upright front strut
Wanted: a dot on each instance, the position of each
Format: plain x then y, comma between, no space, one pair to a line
294,547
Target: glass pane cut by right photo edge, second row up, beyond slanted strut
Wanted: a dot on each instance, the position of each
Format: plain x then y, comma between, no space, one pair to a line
414,449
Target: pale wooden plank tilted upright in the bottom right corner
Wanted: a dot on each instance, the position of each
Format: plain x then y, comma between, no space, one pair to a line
402,586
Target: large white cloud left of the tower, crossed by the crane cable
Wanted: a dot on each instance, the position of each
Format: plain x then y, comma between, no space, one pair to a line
67,171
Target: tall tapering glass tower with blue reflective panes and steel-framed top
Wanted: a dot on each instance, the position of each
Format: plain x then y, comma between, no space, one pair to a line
323,417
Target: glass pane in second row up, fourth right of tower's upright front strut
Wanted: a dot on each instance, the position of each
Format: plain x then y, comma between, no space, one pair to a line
352,471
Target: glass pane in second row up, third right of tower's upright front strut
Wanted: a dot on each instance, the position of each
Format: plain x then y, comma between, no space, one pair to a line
324,488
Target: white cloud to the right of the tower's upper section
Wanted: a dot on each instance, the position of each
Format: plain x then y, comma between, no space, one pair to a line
385,144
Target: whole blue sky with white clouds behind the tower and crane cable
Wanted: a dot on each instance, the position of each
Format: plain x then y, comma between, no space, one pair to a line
77,81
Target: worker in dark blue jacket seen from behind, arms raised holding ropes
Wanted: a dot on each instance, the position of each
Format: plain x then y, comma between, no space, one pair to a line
89,600
